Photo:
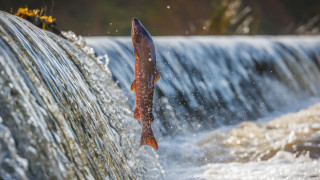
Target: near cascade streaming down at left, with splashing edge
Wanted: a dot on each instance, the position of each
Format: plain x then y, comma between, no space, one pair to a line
66,116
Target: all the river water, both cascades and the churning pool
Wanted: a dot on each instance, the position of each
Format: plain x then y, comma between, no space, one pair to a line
225,107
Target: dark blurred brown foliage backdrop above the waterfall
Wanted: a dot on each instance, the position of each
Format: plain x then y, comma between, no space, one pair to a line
180,17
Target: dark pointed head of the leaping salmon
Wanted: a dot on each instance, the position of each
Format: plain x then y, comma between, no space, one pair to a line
141,39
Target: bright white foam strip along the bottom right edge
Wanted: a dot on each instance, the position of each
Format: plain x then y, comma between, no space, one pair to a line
286,167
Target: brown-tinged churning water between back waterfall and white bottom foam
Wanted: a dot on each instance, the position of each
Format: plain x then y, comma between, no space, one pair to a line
297,133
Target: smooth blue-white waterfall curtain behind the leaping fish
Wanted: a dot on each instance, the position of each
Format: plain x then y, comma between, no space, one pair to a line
210,81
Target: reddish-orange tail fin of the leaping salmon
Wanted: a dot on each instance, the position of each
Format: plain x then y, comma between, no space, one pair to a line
147,137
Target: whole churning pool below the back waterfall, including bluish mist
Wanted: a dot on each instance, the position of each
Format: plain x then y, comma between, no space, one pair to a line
248,150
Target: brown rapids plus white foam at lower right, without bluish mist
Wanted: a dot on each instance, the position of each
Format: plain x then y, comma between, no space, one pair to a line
287,147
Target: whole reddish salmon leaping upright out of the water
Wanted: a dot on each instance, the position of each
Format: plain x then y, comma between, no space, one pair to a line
145,77
